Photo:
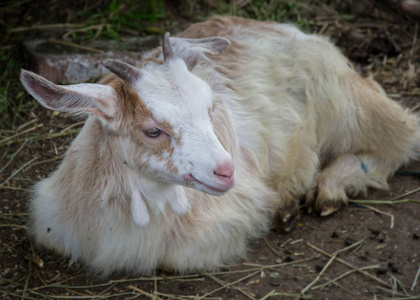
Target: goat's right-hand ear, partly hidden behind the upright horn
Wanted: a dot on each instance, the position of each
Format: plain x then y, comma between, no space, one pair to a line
190,50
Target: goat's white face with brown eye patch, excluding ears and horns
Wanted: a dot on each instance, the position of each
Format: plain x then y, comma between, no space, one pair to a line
178,143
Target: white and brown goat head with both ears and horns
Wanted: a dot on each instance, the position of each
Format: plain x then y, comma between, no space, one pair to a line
165,130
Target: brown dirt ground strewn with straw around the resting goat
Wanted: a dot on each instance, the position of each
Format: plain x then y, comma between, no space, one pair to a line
367,250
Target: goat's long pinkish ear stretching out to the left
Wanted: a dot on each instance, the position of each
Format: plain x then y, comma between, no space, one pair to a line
86,97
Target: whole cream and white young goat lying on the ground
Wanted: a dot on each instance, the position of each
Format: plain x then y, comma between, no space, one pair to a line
189,155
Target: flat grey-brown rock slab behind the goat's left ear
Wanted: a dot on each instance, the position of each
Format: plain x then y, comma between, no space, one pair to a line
61,63
